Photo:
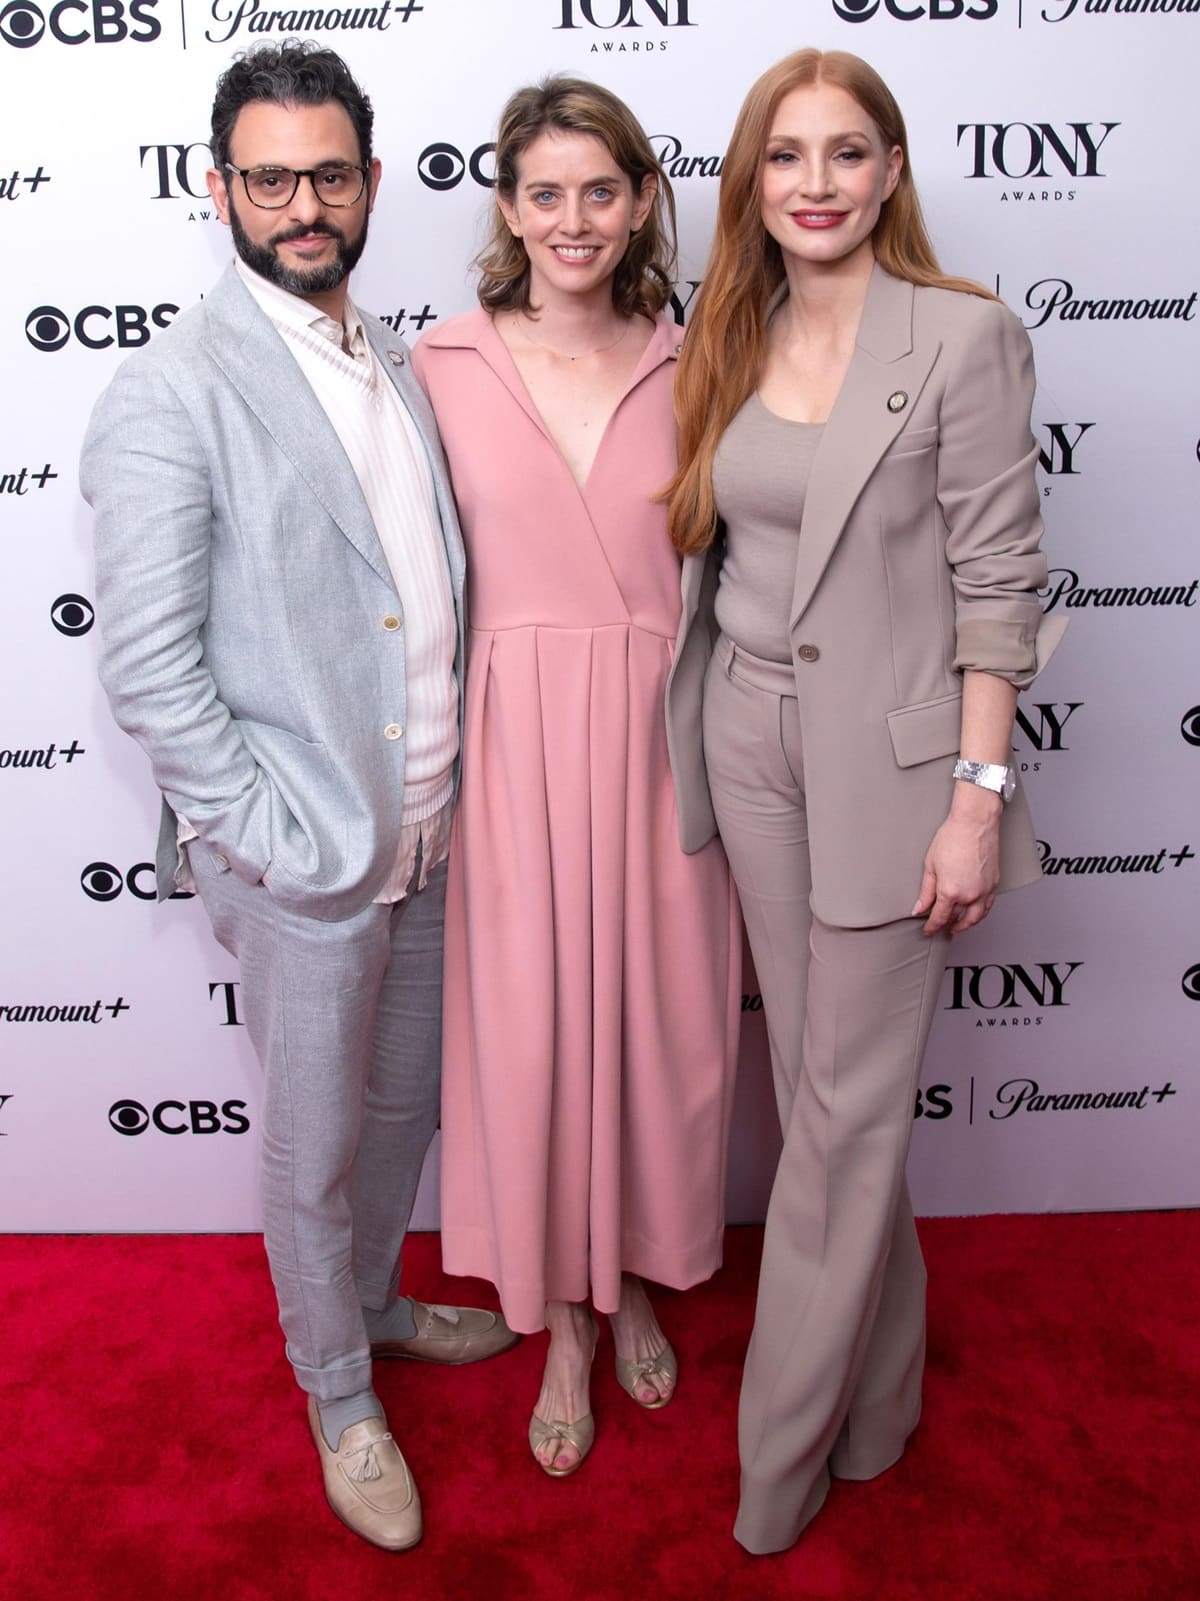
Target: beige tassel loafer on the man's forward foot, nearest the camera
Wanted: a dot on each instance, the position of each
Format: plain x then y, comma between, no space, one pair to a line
369,1485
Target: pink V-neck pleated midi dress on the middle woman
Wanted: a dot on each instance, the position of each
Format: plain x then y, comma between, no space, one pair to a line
593,971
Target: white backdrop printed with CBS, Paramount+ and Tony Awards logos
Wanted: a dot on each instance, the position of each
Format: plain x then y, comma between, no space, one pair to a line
1055,148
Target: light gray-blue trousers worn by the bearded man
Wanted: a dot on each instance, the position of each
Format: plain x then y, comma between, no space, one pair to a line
346,1019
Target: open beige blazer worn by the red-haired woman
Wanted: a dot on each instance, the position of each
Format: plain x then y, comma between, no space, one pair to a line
918,558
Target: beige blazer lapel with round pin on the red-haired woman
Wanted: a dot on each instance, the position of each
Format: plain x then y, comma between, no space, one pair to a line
862,425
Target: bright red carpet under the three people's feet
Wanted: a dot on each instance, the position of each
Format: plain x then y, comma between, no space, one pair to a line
156,1445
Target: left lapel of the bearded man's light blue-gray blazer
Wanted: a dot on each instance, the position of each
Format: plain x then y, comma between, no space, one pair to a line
258,364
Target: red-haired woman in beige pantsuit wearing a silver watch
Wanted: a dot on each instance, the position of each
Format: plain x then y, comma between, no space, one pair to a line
860,518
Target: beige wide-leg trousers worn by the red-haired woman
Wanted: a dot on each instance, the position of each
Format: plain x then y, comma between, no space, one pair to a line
834,1370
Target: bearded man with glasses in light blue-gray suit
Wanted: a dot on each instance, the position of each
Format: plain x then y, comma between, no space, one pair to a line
281,595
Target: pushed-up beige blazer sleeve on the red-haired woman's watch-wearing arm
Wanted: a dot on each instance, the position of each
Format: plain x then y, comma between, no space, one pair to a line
990,500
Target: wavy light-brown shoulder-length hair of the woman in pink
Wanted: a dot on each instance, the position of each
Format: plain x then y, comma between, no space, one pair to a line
564,105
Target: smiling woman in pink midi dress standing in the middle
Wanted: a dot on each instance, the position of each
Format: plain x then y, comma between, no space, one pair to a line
593,969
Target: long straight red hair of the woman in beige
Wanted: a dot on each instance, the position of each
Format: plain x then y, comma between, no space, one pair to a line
727,335
